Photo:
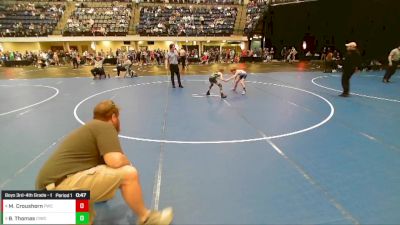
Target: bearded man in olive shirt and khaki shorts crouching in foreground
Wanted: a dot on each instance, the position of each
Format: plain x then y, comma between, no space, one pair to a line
105,168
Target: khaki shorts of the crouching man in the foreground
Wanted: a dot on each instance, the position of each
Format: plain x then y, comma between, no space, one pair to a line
102,182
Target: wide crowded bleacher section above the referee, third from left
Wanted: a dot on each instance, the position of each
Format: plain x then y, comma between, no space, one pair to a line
186,21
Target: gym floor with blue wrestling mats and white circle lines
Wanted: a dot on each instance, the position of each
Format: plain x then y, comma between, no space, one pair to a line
290,151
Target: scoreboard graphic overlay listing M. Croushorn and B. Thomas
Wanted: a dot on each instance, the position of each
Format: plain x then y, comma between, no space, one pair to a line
45,207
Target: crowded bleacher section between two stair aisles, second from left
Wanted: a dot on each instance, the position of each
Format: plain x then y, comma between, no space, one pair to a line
106,19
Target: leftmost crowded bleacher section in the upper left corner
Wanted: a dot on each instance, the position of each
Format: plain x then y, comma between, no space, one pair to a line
29,19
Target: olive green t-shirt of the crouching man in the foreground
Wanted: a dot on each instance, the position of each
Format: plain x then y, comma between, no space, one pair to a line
83,149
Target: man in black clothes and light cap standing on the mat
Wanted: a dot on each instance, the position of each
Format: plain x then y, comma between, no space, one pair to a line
351,64
